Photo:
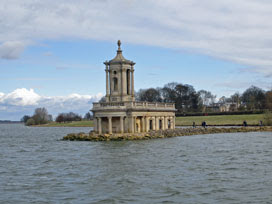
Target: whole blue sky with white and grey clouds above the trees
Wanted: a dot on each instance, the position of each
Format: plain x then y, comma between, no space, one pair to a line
52,52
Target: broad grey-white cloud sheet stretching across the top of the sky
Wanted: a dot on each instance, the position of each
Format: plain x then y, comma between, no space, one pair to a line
235,30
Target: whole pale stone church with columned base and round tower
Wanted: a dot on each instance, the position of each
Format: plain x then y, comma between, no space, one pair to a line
121,113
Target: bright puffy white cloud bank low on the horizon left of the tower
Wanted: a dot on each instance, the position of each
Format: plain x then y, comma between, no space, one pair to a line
23,101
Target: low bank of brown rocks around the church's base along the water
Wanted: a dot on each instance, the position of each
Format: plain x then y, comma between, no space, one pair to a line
92,136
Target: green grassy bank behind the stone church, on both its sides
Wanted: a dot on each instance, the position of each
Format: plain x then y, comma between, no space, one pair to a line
221,120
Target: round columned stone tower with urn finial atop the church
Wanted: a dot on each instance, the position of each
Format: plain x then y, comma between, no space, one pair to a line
119,78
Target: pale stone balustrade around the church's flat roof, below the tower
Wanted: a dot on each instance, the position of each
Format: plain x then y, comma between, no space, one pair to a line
134,104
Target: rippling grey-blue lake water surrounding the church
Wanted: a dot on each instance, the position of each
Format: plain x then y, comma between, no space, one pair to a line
225,168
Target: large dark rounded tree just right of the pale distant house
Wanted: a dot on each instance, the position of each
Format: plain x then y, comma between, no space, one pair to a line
254,98
